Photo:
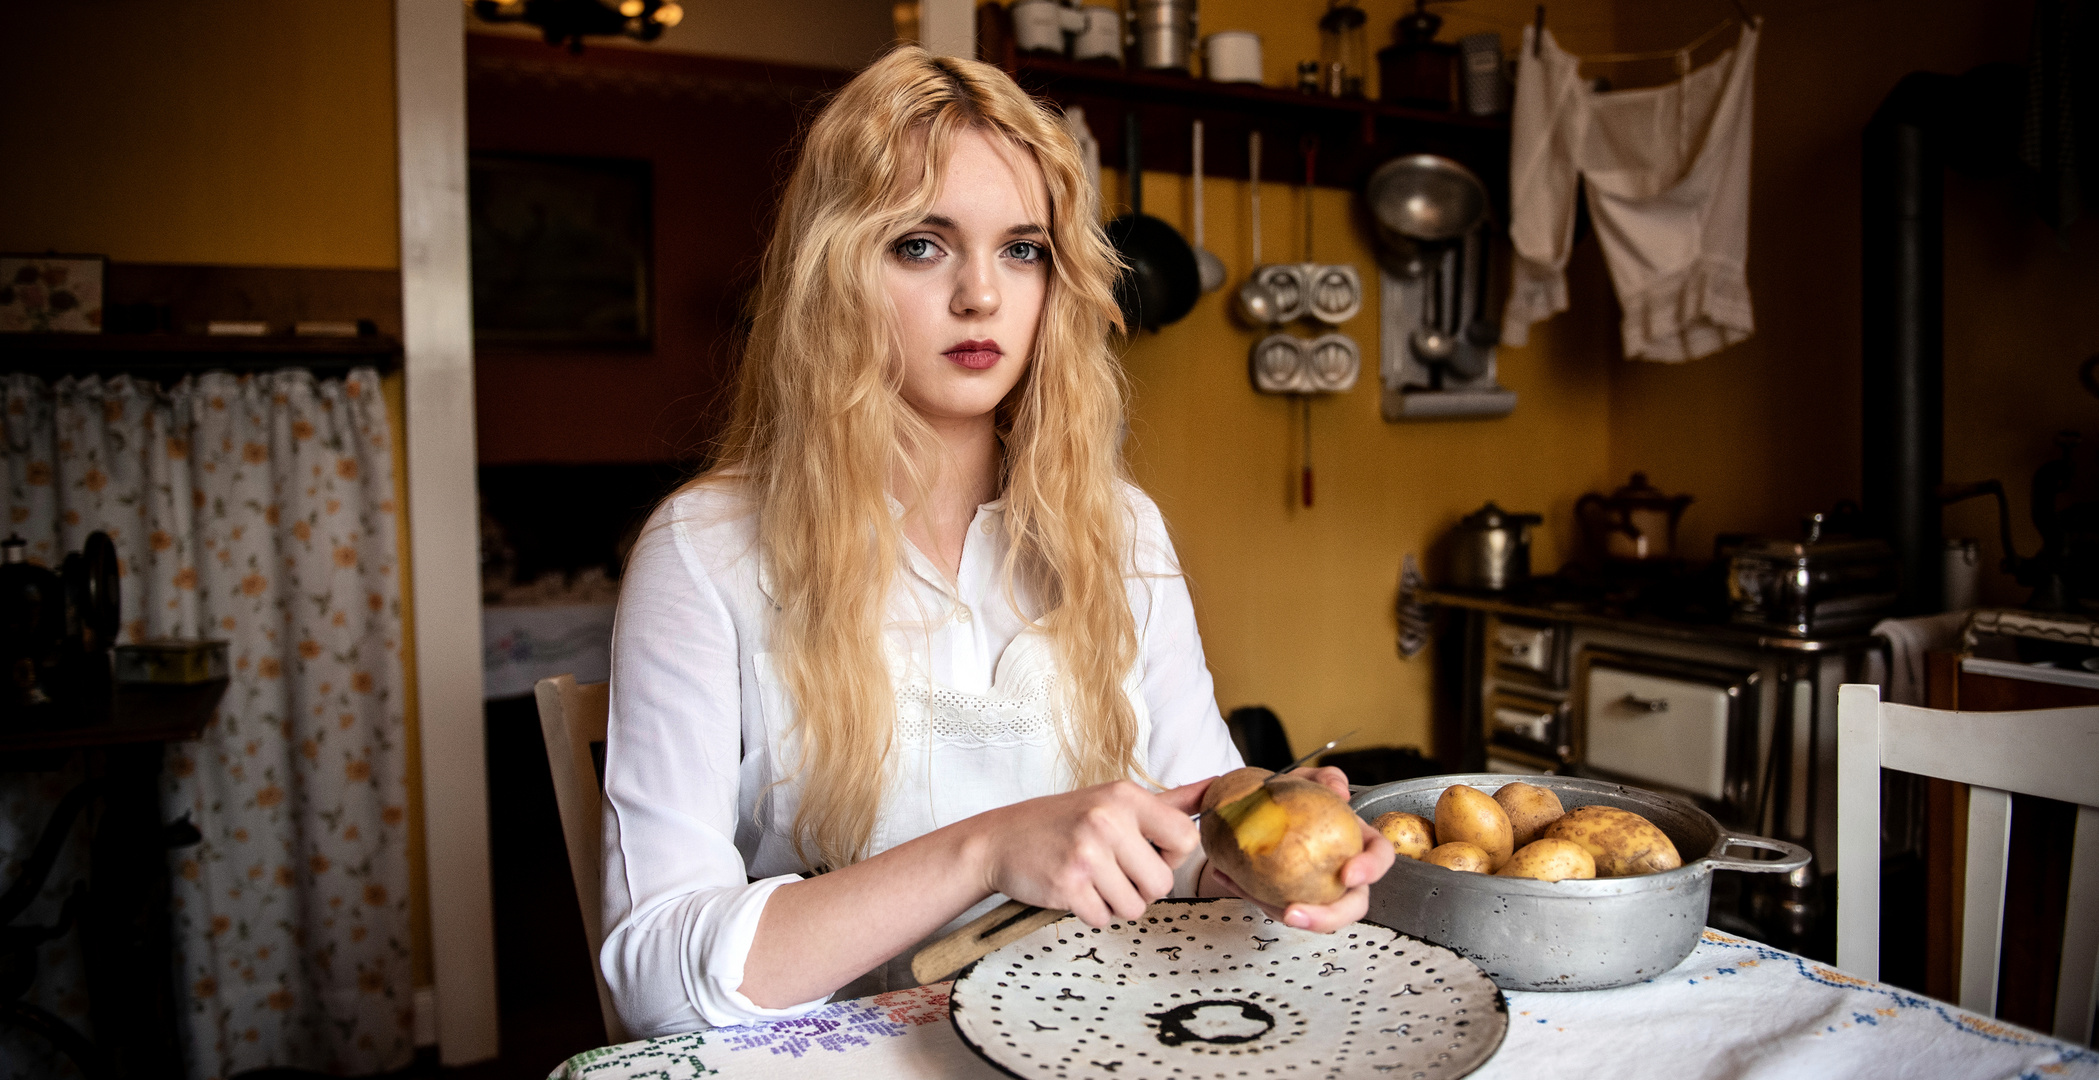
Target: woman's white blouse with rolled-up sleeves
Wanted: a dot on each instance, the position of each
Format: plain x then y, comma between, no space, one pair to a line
696,825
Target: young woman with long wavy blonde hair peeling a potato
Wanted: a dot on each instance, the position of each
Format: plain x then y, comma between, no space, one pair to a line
914,632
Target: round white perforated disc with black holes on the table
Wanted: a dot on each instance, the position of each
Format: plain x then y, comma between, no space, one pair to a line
1214,989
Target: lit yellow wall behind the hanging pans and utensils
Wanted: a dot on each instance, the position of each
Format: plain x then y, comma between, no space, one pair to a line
1296,605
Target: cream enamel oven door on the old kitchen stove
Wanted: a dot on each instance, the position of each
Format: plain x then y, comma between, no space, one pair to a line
1659,722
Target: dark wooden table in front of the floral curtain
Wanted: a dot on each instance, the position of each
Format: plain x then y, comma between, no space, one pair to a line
125,922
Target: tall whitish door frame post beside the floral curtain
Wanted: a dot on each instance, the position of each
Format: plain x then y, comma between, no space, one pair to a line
444,519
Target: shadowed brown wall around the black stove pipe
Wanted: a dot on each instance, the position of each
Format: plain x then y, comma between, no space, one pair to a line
1771,431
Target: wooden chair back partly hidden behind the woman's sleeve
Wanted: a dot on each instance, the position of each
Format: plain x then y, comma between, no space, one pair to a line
574,718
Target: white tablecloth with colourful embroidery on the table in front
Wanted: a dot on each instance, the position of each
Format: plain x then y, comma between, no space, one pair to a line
1731,1010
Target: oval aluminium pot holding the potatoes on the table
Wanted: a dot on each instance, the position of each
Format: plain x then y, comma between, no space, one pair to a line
1565,934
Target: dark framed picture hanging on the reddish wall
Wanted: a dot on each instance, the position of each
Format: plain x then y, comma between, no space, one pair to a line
561,251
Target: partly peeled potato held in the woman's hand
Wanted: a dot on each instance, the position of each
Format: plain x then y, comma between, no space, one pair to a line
1288,846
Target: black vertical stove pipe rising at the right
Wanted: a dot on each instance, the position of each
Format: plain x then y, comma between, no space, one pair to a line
1903,322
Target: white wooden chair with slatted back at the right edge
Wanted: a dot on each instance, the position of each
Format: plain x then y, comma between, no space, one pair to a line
2045,752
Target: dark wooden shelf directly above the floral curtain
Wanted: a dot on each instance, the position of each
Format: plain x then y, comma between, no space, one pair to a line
167,358
